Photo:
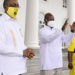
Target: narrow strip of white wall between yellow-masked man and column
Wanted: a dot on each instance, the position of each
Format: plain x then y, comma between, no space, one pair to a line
21,17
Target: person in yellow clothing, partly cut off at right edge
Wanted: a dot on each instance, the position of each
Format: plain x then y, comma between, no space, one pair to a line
71,55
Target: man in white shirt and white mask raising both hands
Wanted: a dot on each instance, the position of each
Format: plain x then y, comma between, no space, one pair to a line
51,45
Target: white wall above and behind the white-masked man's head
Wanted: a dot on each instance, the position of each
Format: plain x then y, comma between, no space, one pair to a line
56,8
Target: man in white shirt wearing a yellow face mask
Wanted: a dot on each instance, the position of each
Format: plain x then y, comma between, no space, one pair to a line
13,51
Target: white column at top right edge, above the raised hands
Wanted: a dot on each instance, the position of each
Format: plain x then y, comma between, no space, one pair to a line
71,11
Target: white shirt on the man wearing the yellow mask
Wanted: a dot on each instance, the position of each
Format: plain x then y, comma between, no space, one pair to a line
12,45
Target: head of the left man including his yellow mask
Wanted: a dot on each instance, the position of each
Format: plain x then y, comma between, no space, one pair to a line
11,7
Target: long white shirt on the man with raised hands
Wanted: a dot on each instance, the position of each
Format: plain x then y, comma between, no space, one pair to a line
51,47
